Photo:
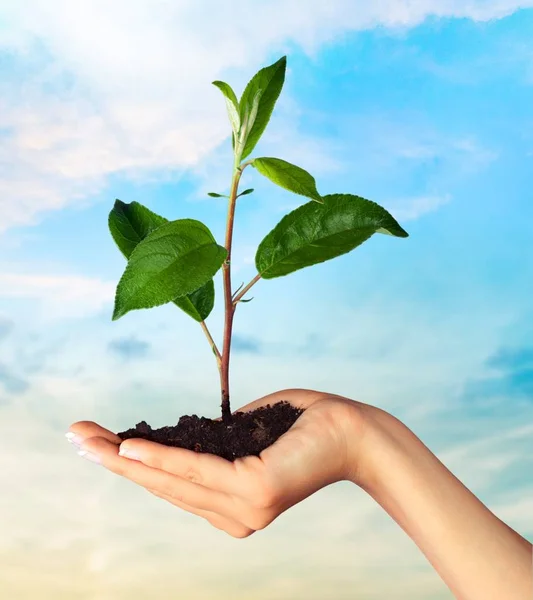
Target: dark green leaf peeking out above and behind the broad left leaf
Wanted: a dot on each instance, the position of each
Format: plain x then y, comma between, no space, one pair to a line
131,223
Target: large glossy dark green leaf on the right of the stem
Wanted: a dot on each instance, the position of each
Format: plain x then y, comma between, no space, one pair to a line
314,233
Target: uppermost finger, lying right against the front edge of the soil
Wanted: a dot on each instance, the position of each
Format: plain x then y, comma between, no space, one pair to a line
205,469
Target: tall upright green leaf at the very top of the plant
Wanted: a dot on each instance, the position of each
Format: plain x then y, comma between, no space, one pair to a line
263,90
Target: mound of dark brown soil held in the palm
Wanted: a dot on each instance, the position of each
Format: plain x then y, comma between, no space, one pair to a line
248,435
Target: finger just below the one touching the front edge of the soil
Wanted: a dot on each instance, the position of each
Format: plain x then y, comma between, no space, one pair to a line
166,483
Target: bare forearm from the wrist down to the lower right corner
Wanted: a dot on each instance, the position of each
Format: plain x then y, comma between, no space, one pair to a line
477,555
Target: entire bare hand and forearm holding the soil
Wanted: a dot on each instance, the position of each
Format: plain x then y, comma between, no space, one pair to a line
477,555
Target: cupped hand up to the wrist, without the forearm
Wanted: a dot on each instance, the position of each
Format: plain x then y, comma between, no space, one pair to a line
323,446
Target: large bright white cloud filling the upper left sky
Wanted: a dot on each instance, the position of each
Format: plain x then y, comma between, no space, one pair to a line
124,86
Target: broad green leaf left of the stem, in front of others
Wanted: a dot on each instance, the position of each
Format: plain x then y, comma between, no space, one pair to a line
173,261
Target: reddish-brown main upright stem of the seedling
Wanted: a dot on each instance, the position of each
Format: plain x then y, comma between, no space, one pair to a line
228,299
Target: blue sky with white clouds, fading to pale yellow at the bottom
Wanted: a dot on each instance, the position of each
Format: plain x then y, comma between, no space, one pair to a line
425,107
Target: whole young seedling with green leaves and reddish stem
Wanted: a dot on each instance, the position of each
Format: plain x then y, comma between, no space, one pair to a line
175,261
